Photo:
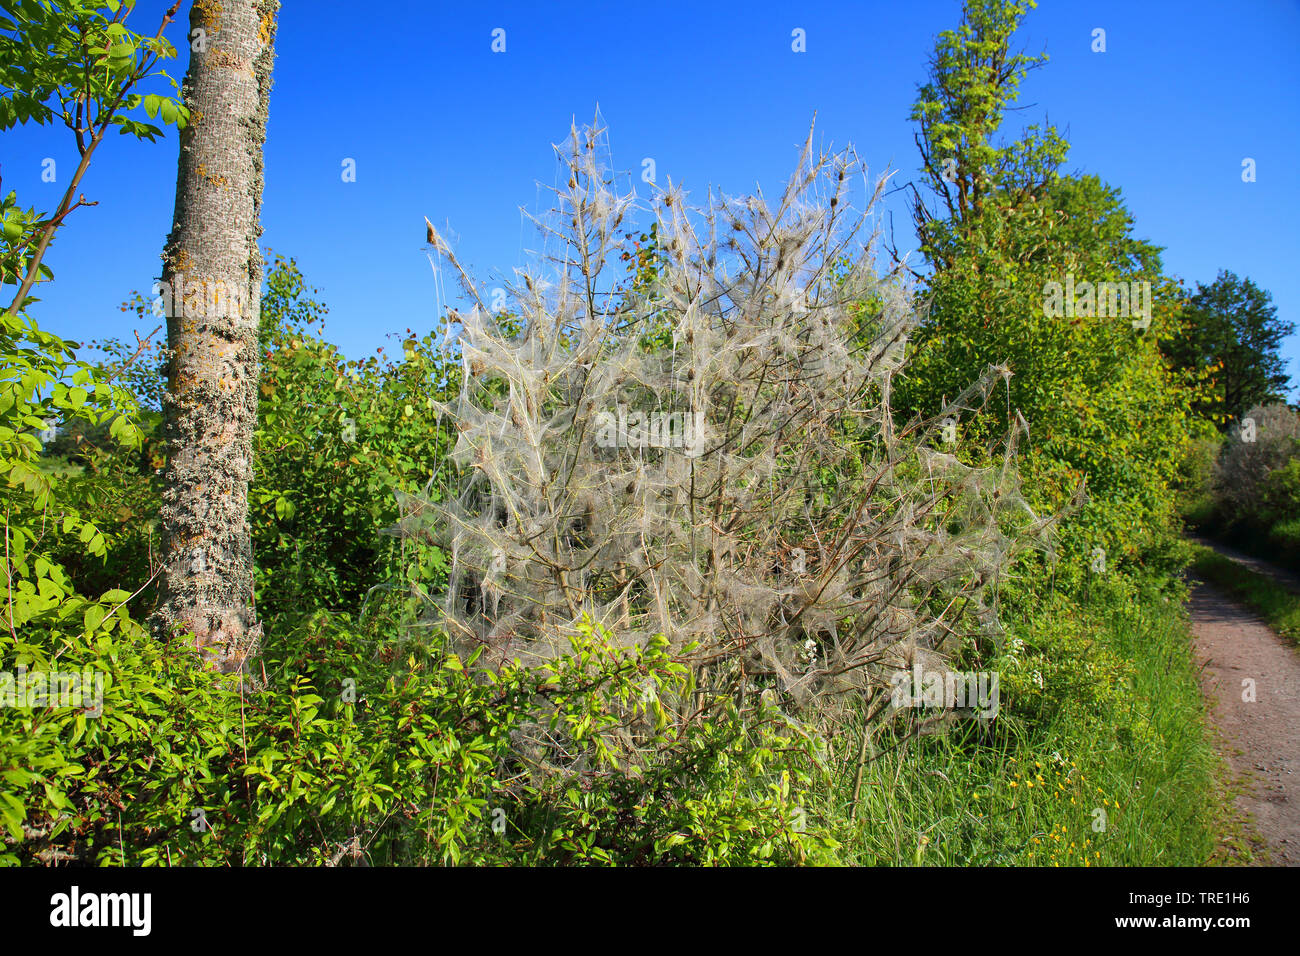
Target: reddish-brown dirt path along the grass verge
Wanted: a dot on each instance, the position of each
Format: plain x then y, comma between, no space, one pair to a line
1262,738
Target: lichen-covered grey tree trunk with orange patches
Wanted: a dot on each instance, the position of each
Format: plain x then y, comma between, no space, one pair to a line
211,288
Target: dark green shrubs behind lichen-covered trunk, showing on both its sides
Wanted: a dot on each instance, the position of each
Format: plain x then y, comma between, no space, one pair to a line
337,440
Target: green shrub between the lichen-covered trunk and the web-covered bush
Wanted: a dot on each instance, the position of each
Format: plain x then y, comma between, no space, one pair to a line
337,442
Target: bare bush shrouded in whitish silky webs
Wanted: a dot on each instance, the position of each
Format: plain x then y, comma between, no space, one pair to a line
787,530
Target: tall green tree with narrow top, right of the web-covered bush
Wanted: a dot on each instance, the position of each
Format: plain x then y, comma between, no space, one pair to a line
1000,228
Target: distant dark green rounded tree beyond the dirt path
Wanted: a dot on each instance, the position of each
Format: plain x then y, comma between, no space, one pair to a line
1232,328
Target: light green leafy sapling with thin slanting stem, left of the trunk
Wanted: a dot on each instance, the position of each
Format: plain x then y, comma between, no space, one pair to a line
77,63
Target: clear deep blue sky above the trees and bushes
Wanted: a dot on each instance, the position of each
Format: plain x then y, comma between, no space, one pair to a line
441,127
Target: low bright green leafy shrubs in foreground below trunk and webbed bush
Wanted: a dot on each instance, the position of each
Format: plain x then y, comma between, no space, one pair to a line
363,752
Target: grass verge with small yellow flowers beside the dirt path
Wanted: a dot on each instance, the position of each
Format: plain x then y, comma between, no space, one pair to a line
1103,760
